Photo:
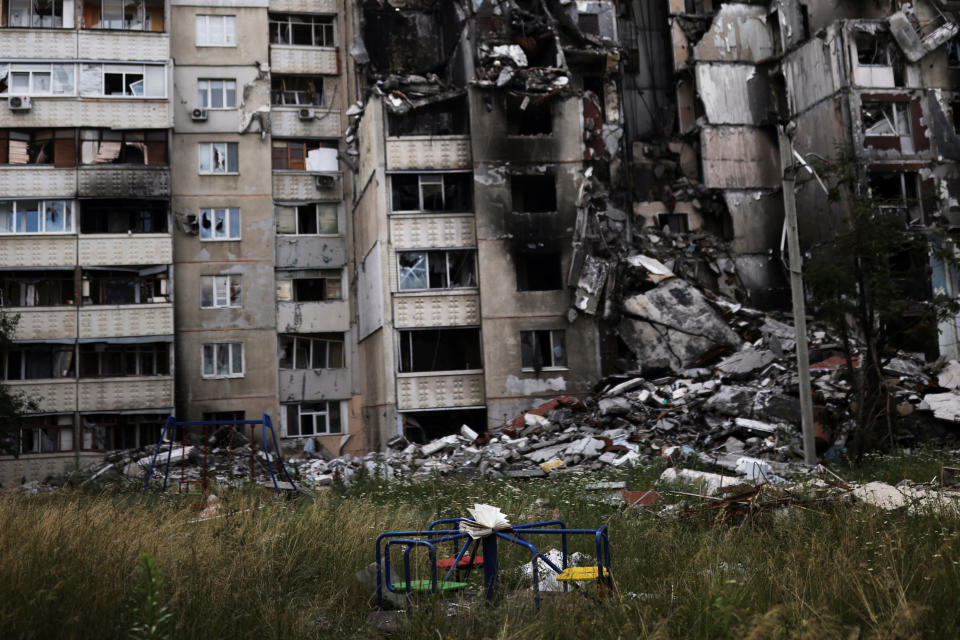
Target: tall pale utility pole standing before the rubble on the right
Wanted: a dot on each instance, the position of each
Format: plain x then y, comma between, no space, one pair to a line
789,171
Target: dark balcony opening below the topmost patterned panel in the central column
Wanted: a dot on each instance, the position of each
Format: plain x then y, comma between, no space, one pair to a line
431,192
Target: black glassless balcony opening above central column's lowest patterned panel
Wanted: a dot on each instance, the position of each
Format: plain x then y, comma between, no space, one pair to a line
440,350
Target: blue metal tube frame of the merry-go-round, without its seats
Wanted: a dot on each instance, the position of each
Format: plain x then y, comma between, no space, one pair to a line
432,536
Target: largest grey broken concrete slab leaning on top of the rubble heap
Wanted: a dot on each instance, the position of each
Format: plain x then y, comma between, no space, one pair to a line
673,325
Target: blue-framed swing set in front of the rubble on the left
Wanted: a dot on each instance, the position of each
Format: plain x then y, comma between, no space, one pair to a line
173,426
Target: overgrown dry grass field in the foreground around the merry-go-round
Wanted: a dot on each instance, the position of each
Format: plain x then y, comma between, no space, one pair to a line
72,565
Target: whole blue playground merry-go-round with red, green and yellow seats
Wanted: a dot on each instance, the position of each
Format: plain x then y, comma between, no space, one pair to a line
516,534
